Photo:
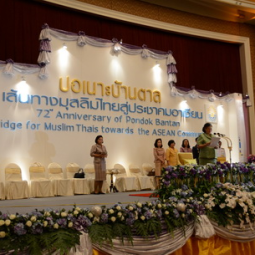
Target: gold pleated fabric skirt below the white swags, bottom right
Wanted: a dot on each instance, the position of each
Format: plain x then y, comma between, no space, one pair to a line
212,246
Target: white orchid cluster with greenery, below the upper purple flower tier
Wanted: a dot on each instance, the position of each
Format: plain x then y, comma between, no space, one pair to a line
226,204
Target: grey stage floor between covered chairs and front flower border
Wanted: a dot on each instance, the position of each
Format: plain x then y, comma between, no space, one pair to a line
58,203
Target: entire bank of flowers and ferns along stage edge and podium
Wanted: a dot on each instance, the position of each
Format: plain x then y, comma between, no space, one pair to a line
186,192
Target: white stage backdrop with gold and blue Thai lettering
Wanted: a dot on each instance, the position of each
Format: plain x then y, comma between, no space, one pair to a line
90,91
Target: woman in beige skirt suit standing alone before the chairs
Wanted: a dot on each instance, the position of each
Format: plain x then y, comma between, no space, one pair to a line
99,152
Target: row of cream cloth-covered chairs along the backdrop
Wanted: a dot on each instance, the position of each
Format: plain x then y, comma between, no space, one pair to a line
54,183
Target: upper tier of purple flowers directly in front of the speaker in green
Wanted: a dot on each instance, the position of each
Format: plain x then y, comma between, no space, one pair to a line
196,176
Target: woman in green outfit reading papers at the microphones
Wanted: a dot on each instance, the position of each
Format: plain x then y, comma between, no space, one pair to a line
207,144
